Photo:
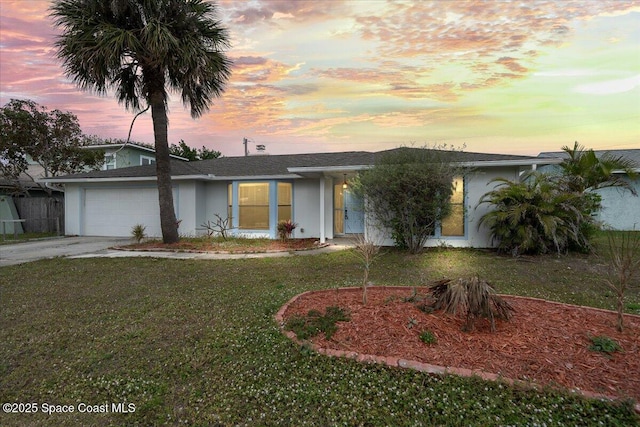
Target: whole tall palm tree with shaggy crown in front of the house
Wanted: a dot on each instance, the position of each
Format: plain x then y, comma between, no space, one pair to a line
142,48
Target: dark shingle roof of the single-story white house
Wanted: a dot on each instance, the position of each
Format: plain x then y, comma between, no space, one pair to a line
274,165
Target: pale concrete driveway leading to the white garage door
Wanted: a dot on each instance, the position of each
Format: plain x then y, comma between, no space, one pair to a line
19,253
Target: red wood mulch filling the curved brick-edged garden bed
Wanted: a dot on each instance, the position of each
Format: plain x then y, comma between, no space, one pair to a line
545,343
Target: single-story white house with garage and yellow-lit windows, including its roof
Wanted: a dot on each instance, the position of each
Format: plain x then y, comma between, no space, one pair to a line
259,191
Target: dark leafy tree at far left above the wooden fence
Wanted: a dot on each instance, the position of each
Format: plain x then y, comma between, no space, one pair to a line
52,139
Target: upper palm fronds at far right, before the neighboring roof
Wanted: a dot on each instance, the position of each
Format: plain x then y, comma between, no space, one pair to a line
584,171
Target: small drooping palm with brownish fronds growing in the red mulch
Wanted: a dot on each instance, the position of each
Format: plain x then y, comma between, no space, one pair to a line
473,298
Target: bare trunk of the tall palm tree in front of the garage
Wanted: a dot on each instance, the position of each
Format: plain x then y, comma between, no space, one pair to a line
168,222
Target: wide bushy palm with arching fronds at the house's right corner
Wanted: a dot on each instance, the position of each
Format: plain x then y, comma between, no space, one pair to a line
537,215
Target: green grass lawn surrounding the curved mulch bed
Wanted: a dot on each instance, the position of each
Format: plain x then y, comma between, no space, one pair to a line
194,343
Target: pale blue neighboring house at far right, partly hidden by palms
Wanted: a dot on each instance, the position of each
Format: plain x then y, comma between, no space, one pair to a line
620,208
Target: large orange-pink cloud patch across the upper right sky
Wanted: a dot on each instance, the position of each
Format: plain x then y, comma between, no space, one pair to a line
477,36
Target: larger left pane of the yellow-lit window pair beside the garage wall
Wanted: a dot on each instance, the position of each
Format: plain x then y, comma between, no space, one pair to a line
253,204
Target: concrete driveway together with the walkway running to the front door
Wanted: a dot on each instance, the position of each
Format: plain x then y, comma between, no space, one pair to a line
98,247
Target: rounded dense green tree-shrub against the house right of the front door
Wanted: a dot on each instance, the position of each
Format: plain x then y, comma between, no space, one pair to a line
408,192
